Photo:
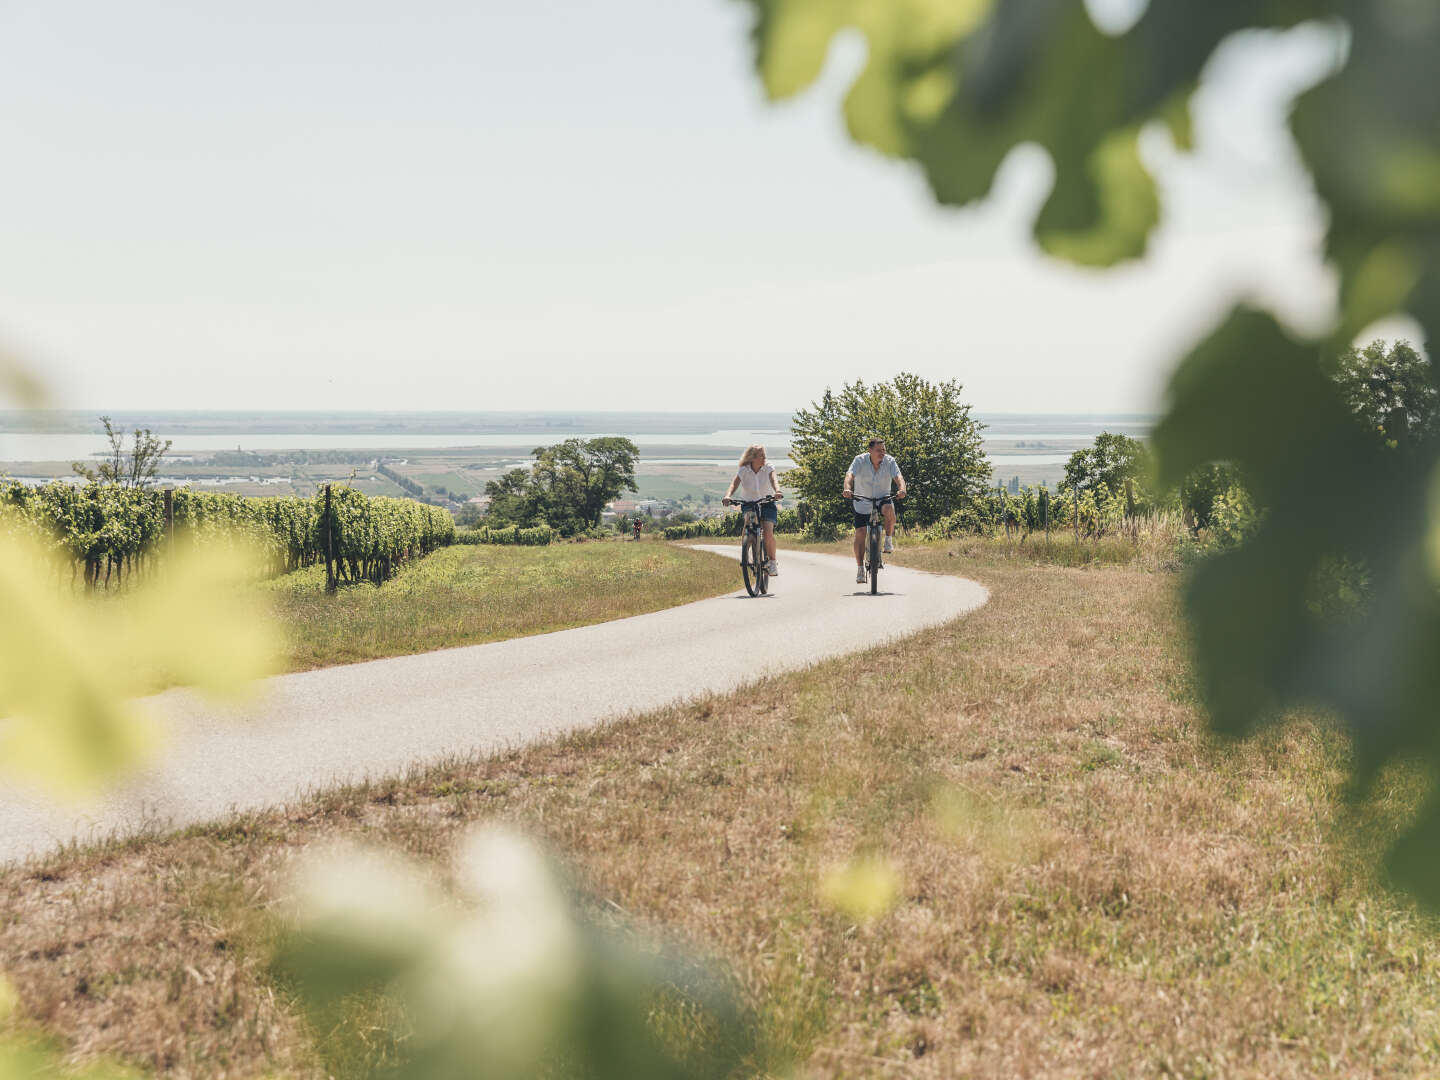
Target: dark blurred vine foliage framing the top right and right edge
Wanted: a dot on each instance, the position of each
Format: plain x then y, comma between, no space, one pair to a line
957,86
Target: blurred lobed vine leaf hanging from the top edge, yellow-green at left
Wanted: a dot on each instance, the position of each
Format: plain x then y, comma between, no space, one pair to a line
960,84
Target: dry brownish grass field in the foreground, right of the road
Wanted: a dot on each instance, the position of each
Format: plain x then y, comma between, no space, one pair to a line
1089,885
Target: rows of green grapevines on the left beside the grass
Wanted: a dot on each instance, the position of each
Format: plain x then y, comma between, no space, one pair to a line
107,532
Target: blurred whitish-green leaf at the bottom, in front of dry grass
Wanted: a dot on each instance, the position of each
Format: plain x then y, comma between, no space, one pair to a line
512,984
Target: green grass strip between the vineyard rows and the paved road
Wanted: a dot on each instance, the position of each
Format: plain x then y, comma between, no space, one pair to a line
476,594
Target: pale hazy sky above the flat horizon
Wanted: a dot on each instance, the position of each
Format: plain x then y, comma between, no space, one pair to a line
567,205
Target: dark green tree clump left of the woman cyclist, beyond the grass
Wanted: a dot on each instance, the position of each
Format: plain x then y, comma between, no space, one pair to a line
568,487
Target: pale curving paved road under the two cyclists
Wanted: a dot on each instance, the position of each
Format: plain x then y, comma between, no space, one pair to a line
342,725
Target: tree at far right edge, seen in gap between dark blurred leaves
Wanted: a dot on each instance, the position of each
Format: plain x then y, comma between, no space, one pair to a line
1393,392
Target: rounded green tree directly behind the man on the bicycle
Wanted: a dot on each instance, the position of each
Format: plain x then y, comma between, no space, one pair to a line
925,426
